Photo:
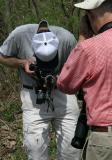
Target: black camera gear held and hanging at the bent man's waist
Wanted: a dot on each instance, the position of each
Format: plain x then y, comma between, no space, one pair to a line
45,83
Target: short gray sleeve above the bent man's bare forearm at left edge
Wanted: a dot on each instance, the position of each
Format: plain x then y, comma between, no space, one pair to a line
9,47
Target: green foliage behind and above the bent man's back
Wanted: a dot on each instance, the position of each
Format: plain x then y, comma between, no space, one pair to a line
57,12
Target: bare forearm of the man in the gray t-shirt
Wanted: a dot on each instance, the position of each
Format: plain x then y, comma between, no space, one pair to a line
11,61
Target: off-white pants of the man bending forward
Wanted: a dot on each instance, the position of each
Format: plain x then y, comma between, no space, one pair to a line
36,122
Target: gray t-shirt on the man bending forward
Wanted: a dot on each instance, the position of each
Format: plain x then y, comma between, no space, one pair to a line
18,44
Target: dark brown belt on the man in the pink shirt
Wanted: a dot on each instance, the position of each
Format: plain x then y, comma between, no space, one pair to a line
100,128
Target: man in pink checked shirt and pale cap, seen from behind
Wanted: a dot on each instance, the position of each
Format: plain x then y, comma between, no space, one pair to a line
89,67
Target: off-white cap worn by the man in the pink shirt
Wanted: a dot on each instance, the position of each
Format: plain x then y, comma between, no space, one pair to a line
89,4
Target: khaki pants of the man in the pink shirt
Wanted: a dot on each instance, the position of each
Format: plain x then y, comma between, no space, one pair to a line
99,146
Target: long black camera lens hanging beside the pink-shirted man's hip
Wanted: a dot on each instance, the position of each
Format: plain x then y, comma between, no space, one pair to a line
82,128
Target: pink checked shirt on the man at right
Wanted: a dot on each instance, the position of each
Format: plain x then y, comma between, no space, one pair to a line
89,66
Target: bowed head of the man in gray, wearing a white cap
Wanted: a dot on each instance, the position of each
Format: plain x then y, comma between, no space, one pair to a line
45,44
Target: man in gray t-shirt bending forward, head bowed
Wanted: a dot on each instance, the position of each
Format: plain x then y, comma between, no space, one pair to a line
47,47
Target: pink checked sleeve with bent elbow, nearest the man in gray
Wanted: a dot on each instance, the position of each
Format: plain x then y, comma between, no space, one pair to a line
74,72
